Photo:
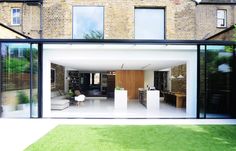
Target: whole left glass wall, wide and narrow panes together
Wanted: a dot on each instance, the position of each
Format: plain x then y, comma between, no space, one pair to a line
19,89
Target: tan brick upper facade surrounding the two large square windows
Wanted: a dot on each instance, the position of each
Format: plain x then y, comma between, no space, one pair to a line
183,19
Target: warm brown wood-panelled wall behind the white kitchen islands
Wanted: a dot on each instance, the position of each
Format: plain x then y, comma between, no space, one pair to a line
130,80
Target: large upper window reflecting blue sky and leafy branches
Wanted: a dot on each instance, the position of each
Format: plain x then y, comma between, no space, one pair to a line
88,22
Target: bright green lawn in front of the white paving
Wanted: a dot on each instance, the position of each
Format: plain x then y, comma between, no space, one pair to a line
138,138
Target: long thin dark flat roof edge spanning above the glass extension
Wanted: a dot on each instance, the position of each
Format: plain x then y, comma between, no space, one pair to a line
119,41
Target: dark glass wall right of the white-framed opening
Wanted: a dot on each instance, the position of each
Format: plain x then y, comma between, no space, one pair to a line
216,81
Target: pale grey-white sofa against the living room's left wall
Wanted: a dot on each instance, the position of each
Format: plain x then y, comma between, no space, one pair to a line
59,101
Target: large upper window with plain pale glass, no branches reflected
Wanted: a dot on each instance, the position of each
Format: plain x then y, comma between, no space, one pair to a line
149,24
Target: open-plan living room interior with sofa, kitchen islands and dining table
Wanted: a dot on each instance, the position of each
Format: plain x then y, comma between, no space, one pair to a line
78,93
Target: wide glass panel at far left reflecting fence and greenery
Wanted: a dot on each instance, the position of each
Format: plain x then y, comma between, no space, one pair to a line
15,80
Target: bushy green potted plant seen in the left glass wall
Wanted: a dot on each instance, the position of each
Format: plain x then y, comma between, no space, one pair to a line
23,100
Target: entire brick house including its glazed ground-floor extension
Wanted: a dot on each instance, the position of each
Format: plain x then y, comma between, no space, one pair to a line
154,55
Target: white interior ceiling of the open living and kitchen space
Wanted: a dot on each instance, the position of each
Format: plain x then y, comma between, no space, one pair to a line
104,65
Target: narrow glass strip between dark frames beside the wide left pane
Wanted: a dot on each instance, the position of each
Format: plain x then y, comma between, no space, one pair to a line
34,80
